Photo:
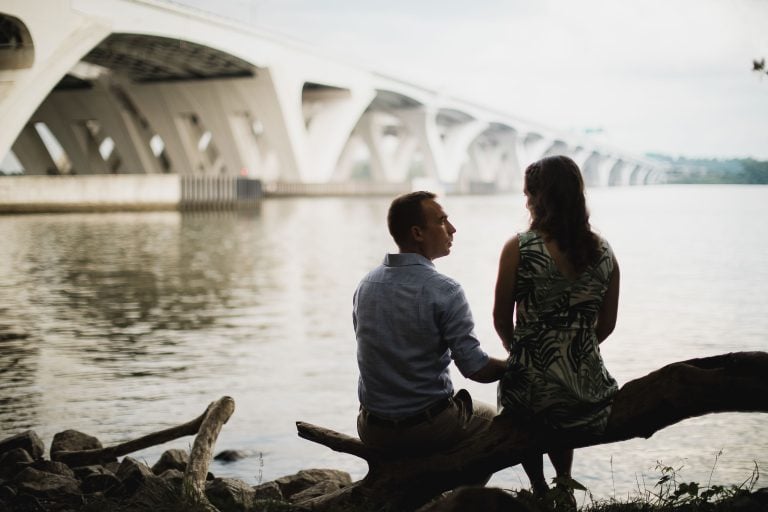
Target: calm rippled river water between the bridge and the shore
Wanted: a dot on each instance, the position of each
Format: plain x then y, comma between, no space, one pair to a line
122,324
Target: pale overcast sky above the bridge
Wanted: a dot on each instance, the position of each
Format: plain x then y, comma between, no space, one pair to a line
660,76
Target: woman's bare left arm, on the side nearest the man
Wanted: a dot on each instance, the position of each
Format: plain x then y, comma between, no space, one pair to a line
504,302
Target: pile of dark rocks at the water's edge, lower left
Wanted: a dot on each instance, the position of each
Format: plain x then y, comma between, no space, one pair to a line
29,482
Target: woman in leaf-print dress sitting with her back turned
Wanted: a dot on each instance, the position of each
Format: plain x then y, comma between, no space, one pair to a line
556,300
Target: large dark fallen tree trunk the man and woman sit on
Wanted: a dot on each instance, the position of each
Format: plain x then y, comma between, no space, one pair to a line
736,382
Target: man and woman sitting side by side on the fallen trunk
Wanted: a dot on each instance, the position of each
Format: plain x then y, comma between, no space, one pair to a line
555,301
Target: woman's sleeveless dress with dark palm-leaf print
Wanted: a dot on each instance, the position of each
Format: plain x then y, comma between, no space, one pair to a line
555,374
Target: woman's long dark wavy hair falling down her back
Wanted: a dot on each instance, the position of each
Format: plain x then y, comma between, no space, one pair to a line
555,191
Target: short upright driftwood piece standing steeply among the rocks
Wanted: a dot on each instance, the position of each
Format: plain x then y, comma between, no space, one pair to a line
216,416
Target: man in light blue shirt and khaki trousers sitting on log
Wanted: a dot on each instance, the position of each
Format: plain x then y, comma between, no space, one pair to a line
410,322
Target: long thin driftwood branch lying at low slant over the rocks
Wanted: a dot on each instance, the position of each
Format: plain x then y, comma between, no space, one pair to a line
102,455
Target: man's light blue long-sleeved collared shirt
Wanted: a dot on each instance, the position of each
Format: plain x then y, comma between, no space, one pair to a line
410,321
